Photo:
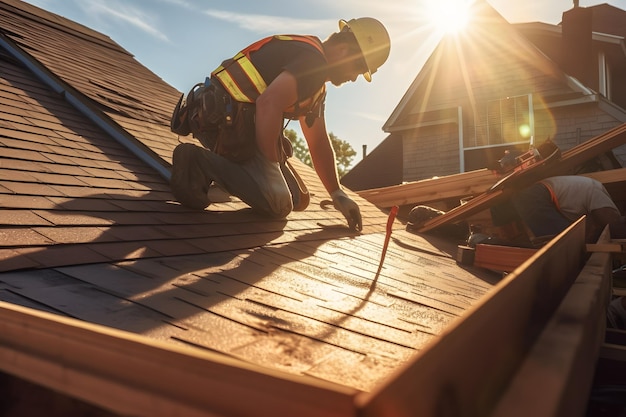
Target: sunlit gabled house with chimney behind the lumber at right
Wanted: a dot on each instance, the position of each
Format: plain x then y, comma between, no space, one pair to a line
498,86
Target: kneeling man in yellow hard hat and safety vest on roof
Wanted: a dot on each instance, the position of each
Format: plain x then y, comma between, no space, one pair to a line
238,114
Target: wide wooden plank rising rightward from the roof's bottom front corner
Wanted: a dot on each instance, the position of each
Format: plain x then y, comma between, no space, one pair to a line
464,371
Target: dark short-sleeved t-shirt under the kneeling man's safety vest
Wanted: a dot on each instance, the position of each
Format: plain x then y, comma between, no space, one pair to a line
305,62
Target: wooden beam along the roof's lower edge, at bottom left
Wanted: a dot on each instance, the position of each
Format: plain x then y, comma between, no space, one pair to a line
133,375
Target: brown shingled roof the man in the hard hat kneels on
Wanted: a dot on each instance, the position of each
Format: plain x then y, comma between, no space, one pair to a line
90,230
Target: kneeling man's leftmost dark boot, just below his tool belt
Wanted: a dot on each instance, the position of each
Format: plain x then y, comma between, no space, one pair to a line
189,183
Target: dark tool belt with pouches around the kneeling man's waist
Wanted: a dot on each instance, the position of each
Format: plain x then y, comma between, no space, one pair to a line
220,123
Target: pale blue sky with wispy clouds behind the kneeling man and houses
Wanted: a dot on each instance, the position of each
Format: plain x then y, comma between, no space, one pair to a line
183,40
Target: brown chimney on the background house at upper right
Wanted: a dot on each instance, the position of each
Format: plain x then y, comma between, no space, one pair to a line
578,59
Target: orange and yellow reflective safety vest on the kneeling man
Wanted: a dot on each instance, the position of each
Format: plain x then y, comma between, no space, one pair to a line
244,83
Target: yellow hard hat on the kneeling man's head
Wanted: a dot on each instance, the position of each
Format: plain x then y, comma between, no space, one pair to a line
373,41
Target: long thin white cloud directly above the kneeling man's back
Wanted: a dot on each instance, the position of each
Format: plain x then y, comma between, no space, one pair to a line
267,24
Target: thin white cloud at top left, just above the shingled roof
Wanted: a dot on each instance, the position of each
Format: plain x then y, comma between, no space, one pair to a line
121,12
